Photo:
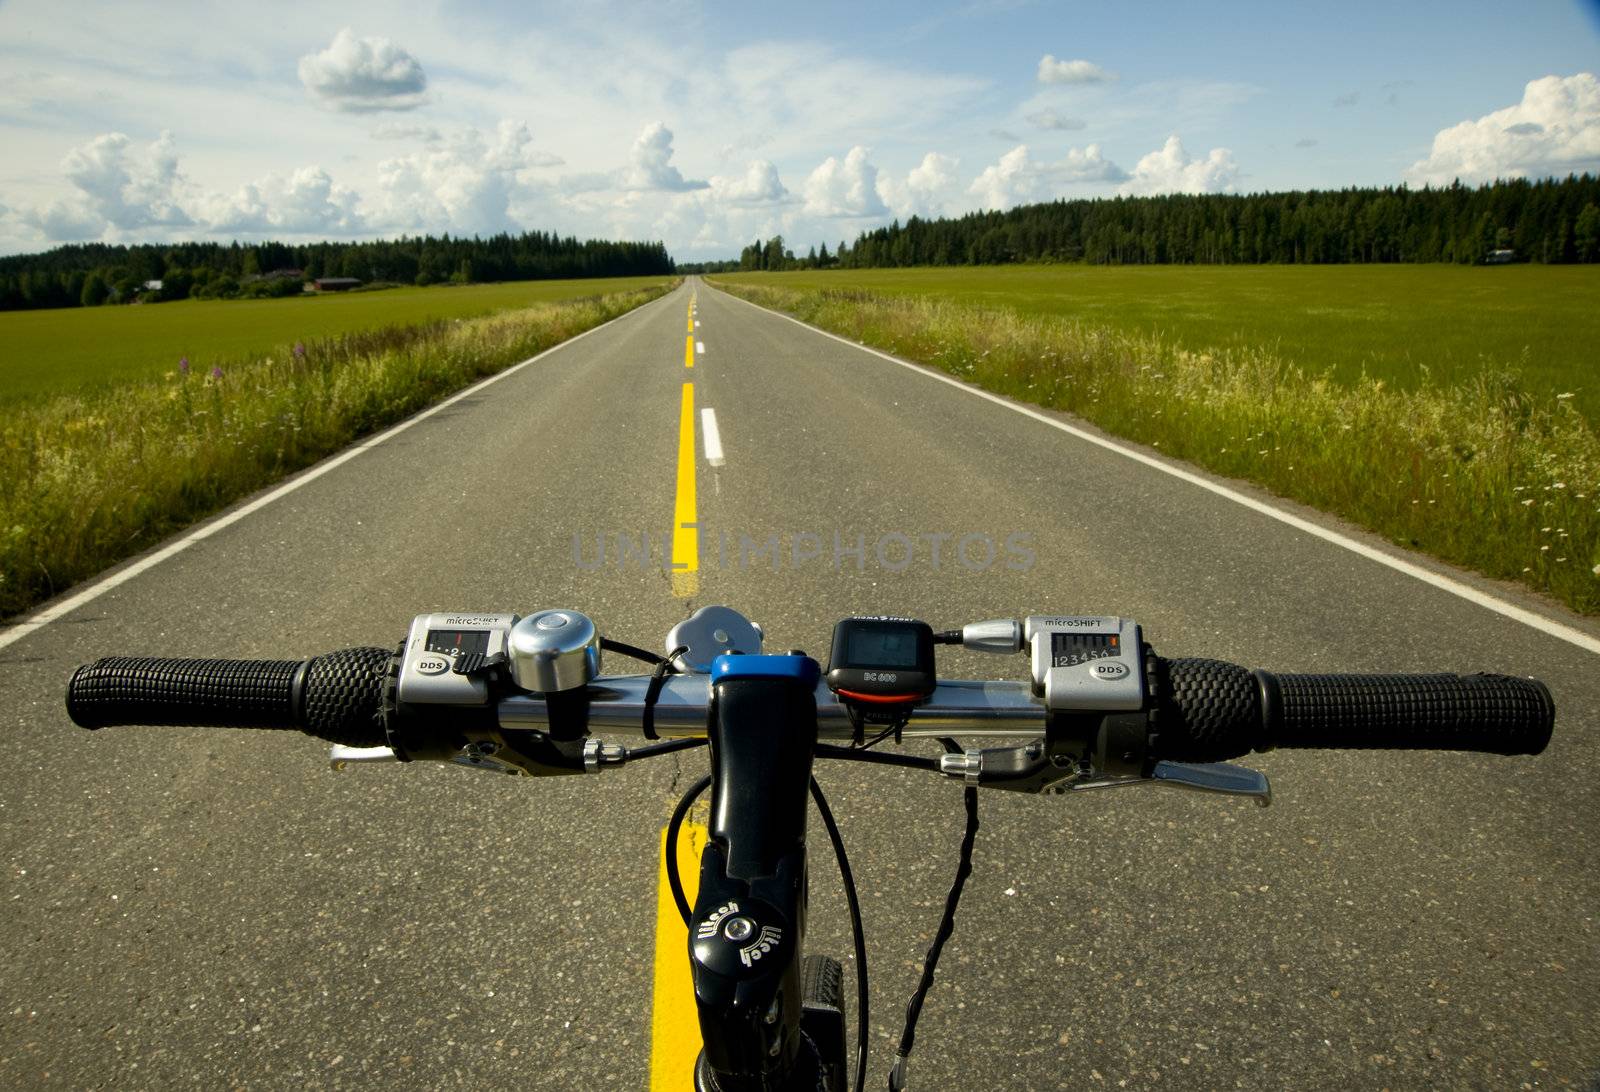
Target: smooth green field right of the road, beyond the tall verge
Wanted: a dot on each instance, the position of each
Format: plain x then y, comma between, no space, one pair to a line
1407,326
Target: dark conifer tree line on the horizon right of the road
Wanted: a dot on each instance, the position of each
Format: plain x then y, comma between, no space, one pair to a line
1545,222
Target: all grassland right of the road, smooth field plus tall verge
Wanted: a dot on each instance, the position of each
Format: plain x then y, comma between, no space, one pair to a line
1487,468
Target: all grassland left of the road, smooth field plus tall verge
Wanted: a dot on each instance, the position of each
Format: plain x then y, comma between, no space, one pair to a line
100,473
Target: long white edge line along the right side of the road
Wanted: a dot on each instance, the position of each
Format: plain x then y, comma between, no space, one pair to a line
1401,566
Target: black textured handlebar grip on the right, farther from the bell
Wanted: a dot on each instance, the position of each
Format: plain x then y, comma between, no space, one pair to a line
1209,712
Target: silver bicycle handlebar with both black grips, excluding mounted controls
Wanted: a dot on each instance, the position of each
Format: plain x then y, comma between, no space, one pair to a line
1202,710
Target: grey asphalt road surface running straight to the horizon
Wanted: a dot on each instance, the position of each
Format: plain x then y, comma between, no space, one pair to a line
206,909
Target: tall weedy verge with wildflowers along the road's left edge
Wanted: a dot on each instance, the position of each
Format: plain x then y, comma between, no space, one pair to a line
95,478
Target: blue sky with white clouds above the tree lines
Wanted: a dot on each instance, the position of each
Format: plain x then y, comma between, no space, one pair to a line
711,126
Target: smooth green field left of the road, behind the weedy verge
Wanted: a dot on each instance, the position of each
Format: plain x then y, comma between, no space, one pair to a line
76,350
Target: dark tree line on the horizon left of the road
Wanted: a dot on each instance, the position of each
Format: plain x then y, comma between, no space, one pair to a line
92,275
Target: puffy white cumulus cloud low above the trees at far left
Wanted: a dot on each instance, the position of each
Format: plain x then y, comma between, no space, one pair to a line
119,188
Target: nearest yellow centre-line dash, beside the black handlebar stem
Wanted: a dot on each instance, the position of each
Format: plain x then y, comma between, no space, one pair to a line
674,1024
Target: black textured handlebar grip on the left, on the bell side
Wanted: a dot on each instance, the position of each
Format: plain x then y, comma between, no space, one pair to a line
337,697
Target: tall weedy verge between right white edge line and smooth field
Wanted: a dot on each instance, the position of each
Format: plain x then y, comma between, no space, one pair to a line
1481,472
